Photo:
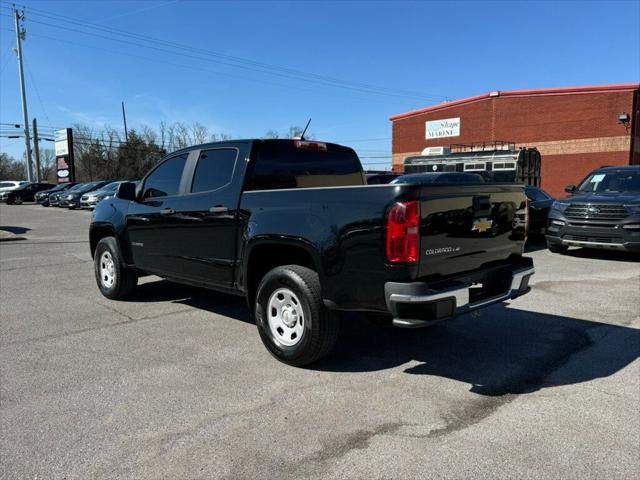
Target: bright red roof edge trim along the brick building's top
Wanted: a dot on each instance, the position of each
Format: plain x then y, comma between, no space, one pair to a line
619,87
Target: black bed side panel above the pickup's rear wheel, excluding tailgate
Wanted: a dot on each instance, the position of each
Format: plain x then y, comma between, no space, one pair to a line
341,227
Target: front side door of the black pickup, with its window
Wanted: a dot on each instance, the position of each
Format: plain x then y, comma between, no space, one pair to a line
152,223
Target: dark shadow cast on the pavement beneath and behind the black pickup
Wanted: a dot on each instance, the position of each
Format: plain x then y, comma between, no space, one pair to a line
500,351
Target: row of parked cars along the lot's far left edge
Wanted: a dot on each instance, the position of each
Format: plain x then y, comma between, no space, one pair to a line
69,195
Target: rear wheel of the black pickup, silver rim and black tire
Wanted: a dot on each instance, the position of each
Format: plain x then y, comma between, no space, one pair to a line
292,320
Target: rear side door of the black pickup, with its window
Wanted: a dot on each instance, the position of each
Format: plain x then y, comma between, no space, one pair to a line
209,213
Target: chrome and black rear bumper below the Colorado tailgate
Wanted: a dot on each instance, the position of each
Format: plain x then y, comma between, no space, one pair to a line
417,304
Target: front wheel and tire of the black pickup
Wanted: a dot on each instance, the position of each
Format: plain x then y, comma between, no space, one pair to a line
114,280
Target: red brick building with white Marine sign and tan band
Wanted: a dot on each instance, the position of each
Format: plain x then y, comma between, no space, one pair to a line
575,129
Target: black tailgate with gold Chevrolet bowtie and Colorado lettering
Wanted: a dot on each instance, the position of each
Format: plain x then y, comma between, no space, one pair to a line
466,227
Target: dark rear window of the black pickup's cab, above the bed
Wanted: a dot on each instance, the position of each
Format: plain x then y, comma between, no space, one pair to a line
281,164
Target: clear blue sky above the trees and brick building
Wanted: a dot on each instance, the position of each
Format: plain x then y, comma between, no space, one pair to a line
382,58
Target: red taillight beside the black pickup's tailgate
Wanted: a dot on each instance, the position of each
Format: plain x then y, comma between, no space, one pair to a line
403,232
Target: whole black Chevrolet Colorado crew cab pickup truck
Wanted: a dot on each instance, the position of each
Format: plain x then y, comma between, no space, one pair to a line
292,226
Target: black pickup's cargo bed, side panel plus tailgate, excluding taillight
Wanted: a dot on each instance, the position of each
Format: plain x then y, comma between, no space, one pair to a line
345,229
